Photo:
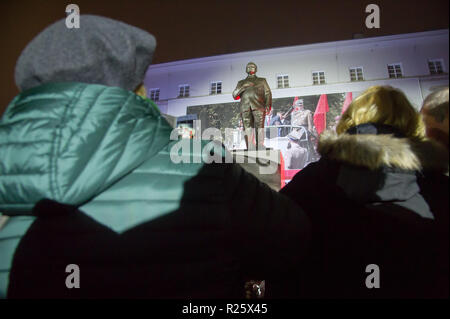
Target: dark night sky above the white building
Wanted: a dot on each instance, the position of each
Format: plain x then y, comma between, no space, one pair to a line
198,28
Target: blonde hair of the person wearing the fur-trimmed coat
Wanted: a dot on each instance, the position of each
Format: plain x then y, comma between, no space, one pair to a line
383,105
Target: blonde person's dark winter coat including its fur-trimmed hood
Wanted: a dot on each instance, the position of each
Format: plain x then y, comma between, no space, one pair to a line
374,199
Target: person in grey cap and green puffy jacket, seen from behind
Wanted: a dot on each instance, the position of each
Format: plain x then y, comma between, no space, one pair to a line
94,206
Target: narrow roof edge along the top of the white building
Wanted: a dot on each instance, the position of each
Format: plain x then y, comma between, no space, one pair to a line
300,48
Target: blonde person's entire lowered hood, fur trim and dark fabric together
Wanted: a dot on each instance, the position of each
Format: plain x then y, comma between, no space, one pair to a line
377,169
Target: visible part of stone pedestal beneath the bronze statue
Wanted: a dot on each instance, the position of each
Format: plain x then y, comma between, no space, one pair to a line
264,164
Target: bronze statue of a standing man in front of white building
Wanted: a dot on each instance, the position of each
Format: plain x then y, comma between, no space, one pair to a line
256,100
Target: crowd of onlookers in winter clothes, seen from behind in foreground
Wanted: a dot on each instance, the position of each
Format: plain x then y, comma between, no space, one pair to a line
86,180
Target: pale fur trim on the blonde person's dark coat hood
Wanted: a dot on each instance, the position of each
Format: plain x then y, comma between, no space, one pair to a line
377,151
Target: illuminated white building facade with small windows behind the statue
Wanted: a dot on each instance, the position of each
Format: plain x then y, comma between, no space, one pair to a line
416,63
